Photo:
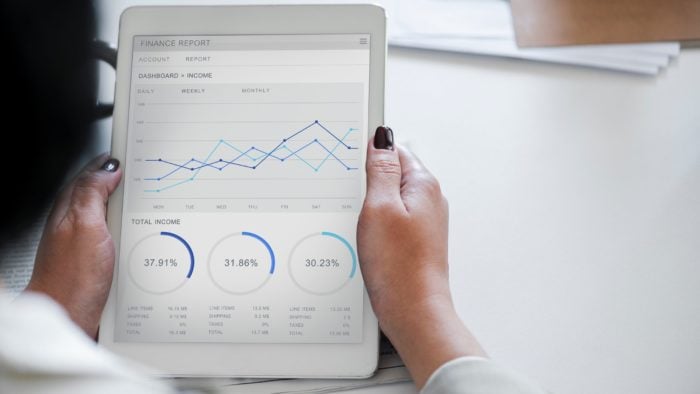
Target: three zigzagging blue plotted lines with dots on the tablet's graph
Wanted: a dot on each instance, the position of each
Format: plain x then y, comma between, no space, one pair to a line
252,157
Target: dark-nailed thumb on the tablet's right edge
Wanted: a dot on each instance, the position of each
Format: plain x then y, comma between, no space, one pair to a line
383,168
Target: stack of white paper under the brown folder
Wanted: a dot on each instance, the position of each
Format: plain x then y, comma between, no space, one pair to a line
485,27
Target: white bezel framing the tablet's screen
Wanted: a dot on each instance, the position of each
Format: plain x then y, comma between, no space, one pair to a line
245,360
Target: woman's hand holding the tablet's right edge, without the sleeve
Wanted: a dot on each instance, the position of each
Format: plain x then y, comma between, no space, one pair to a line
402,242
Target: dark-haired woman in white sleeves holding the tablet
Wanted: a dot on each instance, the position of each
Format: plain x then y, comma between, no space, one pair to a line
47,334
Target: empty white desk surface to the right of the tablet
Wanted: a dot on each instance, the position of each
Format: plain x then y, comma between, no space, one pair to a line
575,211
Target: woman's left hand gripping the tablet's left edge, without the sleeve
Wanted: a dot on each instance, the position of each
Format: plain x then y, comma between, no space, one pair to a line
75,259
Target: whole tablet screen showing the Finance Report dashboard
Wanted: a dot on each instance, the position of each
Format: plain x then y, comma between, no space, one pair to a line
244,182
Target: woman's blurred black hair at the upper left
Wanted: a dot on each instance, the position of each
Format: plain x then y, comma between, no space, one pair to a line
49,99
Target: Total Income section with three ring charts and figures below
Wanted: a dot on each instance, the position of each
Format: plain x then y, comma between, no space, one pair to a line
240,278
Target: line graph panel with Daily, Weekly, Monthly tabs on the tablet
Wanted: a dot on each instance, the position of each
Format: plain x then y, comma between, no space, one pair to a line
265,147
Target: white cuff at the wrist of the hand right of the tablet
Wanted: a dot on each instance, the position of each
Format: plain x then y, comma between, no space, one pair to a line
476,375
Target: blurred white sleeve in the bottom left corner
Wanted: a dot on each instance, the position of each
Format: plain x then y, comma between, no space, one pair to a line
42,351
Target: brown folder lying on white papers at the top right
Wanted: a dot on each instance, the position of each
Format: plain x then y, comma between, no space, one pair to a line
575,22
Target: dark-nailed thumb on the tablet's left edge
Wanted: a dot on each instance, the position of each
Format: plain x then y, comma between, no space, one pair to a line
90,190
